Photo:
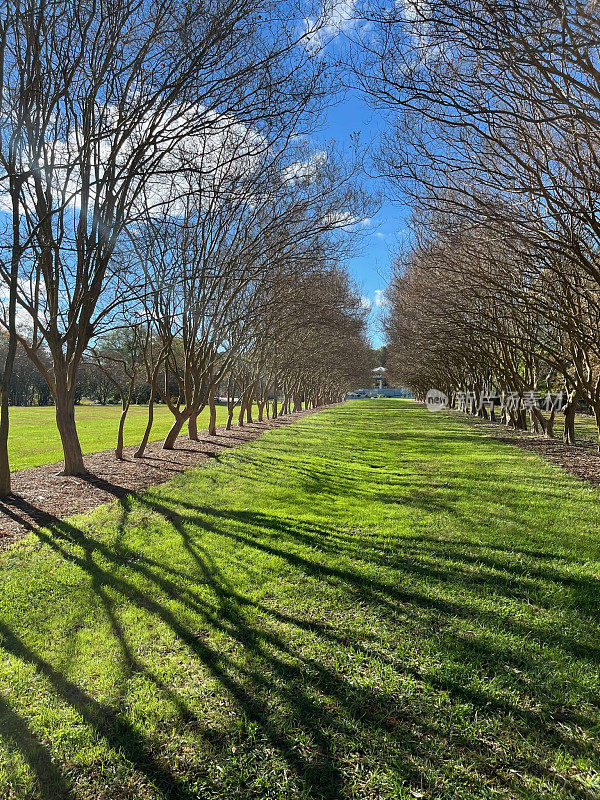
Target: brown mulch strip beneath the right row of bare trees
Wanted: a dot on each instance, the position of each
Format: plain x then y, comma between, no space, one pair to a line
581,459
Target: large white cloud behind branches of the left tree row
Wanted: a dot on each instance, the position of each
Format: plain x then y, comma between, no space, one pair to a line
218,146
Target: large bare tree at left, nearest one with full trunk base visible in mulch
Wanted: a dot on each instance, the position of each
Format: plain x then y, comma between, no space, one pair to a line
114,93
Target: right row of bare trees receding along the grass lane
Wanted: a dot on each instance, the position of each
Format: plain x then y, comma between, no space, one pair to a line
495,139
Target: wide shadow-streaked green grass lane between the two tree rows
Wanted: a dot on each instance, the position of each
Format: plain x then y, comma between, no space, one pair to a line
375,602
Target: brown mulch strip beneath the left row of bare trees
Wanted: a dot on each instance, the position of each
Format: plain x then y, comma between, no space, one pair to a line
42,495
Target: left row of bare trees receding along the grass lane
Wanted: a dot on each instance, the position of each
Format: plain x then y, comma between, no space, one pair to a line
156,179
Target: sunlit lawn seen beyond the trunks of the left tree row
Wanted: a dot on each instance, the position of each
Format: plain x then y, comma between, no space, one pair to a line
34,438
